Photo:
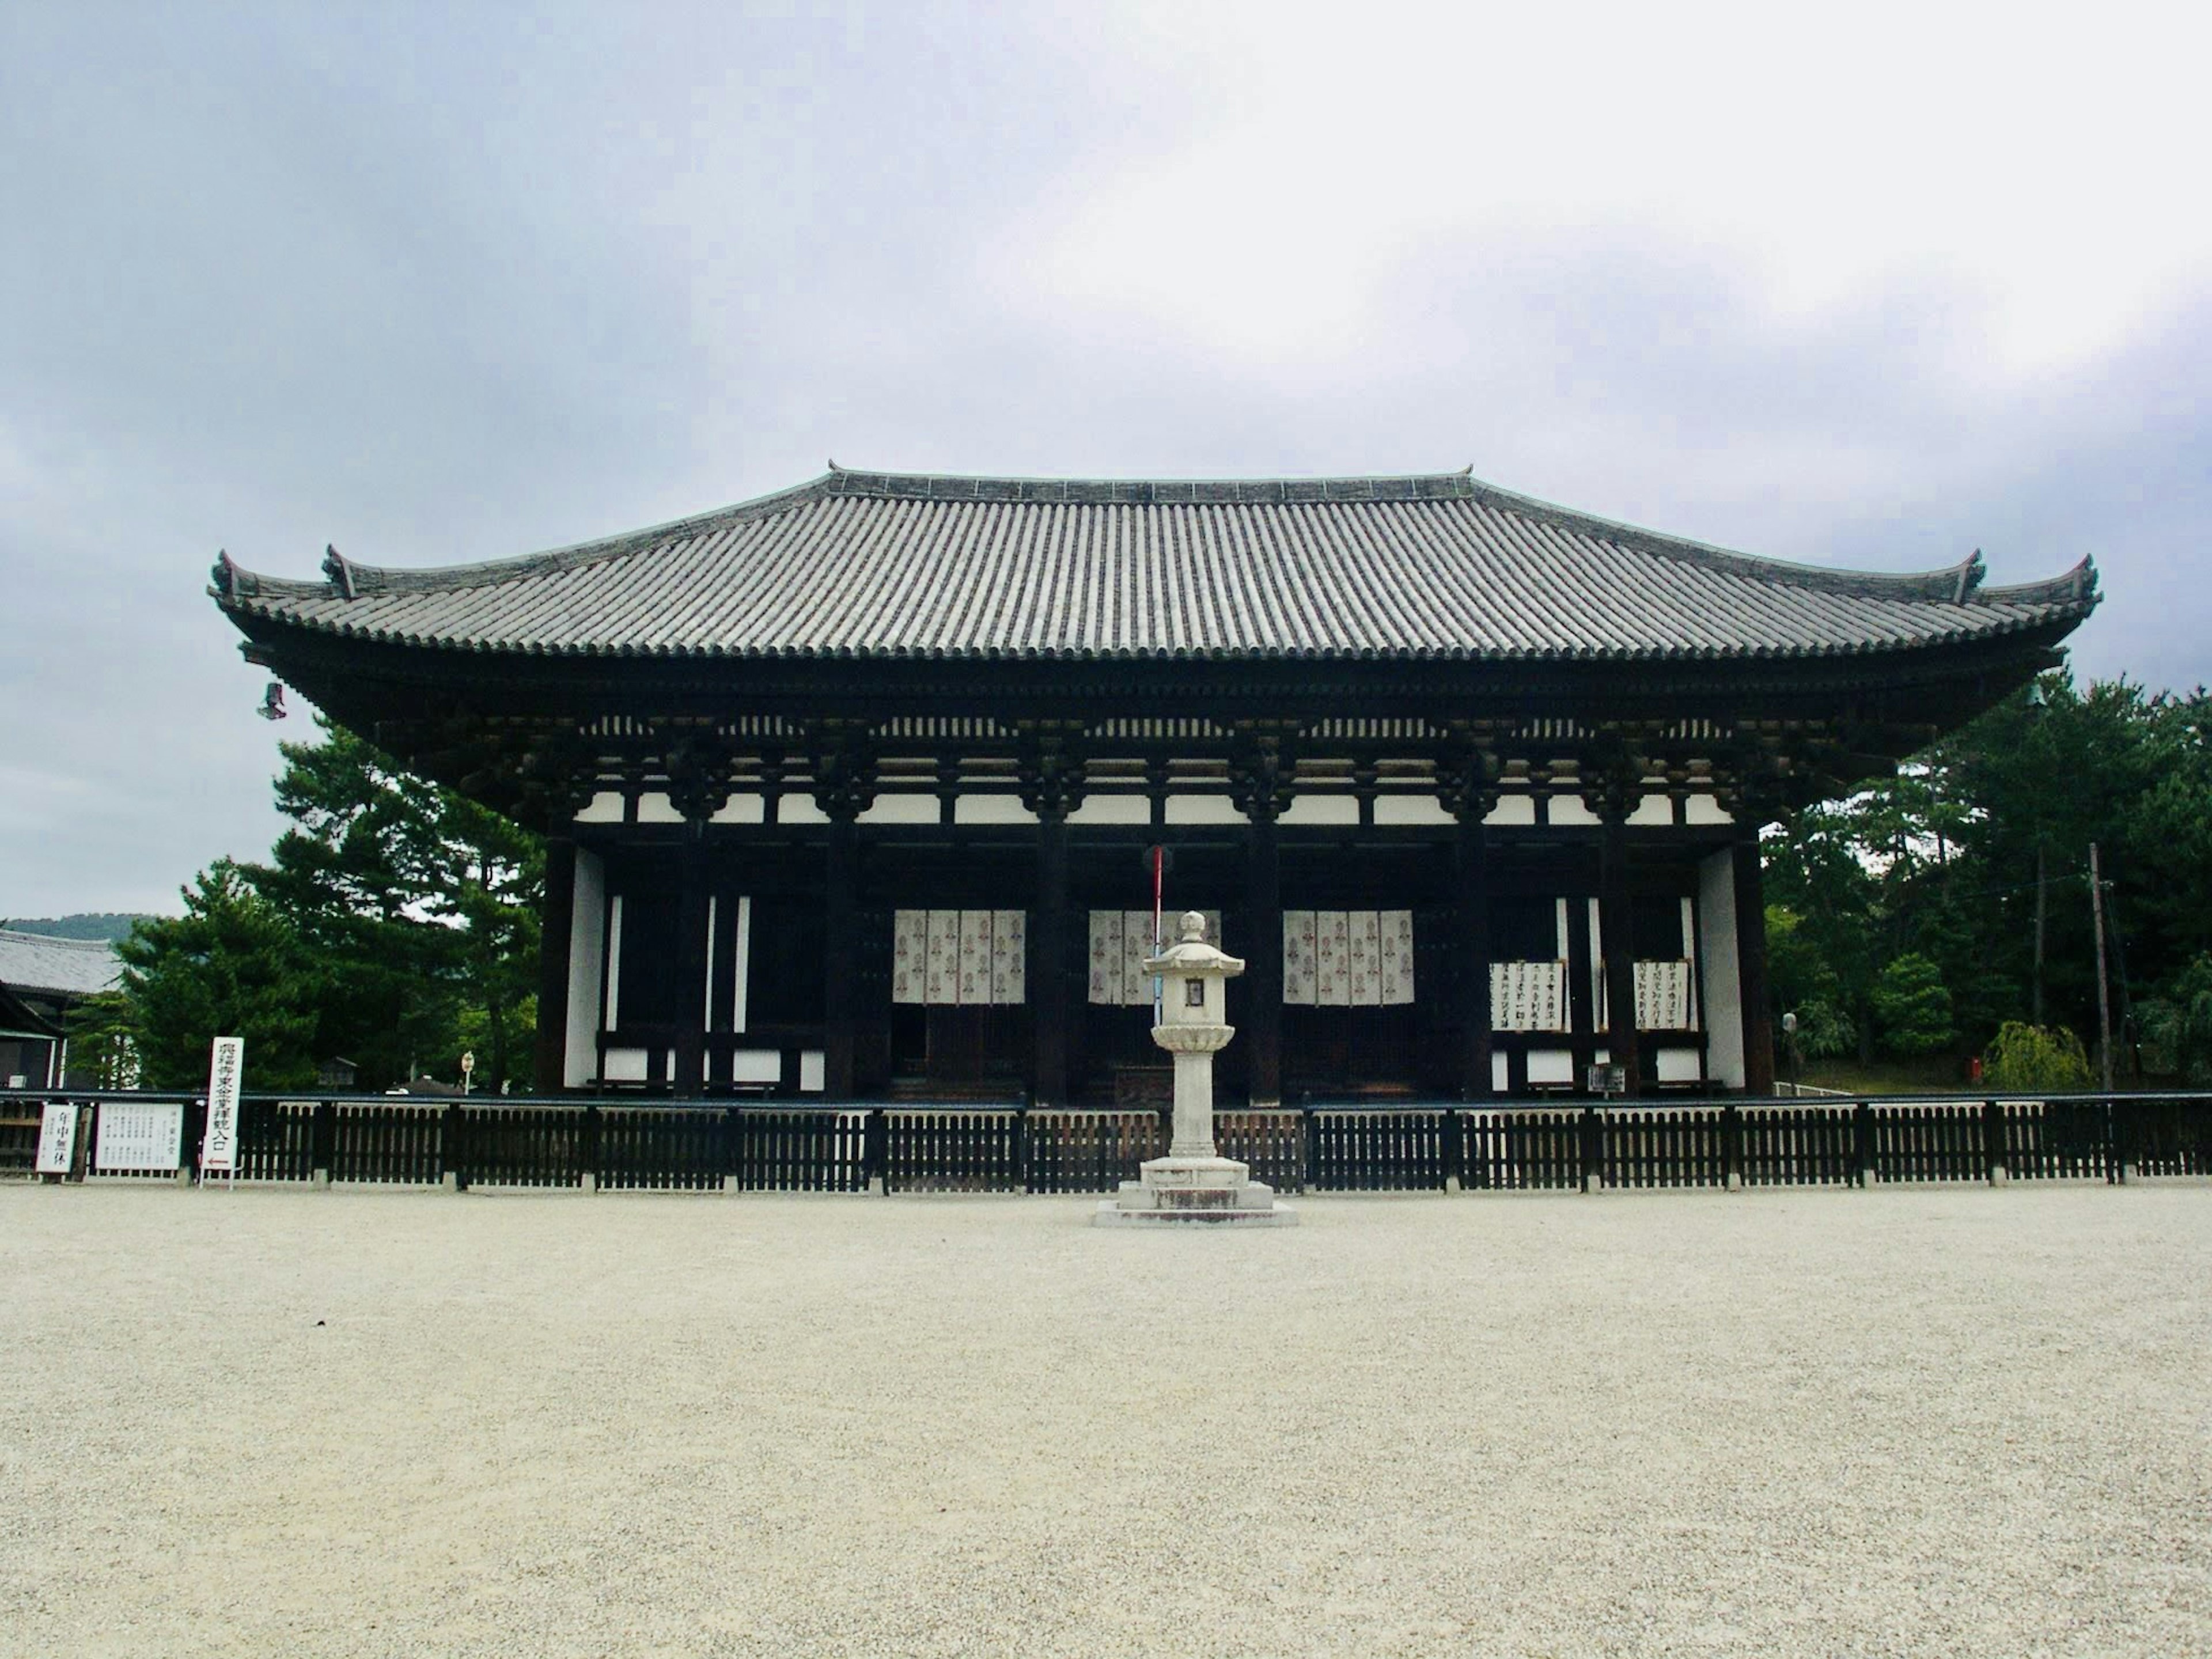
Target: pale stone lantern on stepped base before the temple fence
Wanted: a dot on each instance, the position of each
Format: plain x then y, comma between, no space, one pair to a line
1196,1185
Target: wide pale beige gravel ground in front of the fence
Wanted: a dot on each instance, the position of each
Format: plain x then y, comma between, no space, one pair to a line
1784,1423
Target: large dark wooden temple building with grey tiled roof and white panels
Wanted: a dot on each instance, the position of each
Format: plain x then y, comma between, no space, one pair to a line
855,791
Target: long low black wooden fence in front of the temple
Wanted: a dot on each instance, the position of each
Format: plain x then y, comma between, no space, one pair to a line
1313,1149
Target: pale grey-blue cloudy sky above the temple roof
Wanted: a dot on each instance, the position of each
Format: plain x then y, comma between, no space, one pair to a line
459,282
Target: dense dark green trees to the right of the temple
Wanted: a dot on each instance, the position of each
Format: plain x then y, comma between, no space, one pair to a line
1945,862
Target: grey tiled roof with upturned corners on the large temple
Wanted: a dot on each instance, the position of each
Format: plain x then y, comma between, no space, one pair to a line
888,565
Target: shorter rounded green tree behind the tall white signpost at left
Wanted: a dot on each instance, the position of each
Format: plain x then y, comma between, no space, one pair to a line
229,968
